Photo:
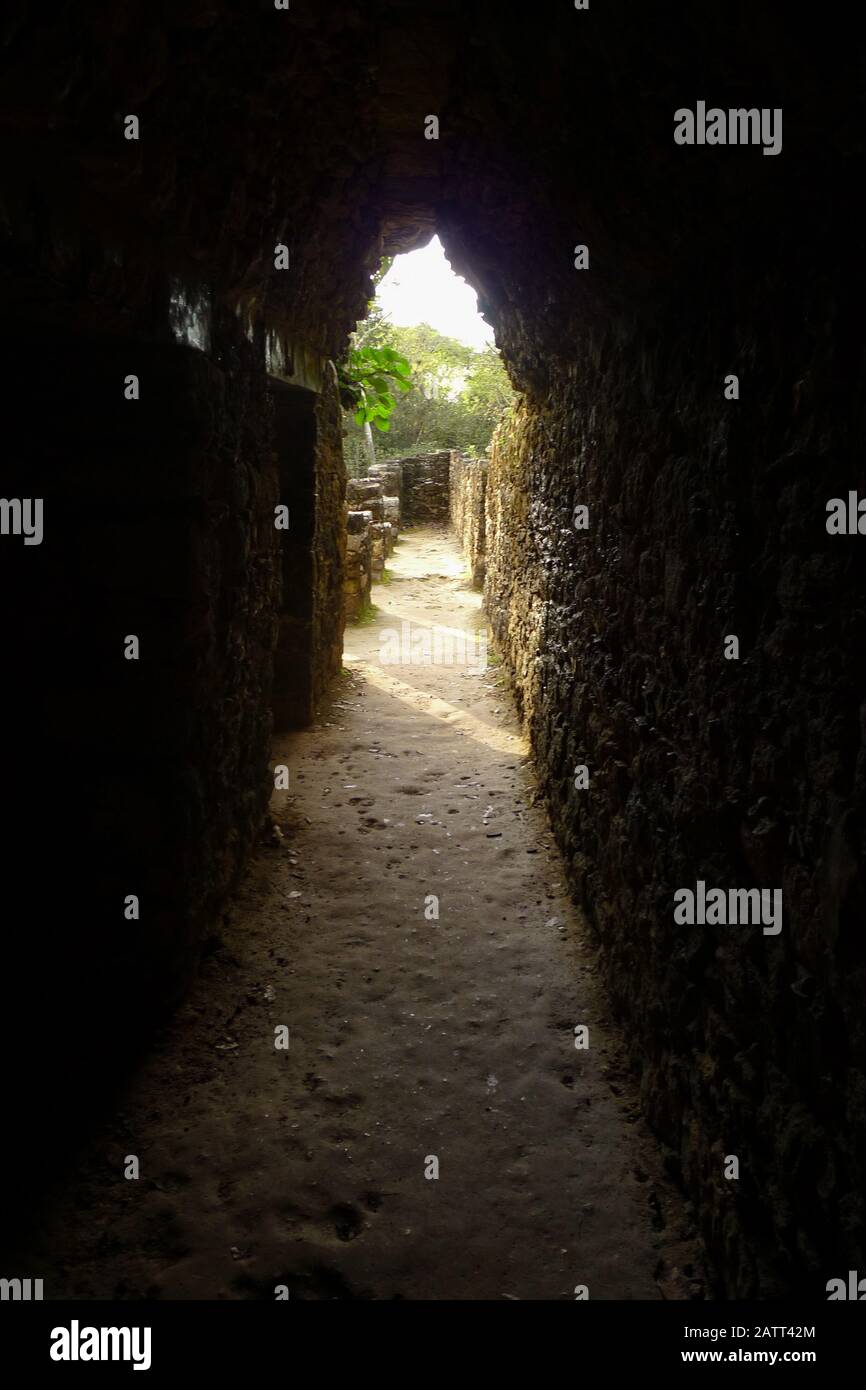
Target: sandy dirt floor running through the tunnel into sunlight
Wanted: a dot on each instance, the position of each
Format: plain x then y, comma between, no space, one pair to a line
411,1038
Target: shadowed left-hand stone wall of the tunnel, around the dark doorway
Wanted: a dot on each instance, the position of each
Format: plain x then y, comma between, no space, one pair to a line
159,512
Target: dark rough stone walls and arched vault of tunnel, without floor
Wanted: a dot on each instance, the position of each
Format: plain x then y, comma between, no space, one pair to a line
195,199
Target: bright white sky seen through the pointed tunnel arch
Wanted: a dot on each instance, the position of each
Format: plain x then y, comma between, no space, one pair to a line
422,288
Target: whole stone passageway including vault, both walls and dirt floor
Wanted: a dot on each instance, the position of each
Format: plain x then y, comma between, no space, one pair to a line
372,979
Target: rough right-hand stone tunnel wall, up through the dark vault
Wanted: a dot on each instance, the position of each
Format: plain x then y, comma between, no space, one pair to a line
710,519
